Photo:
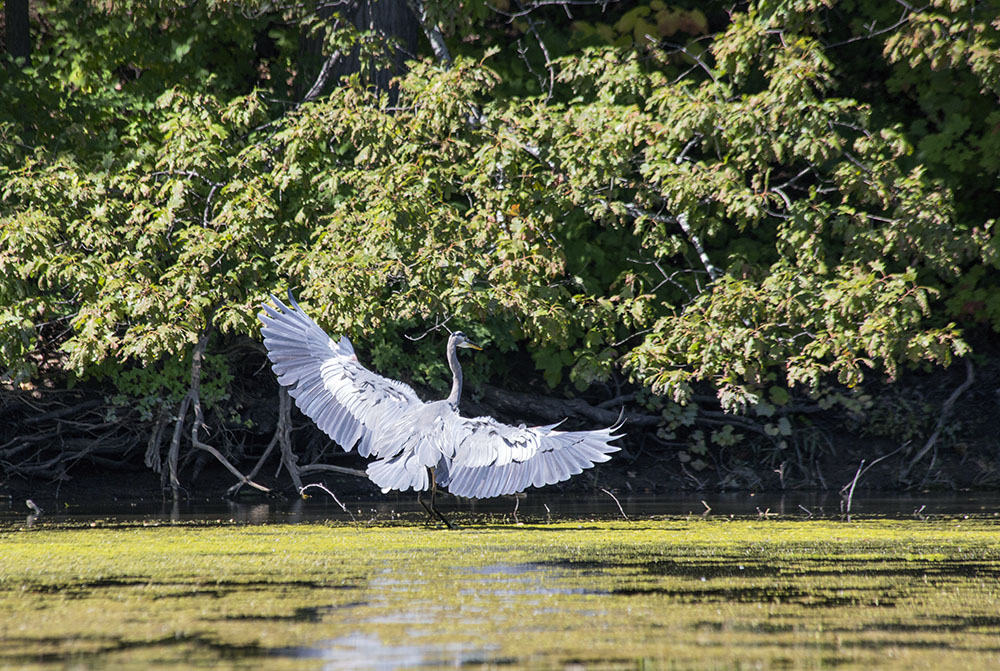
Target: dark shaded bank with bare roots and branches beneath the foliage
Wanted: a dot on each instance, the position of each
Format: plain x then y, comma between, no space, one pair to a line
928,430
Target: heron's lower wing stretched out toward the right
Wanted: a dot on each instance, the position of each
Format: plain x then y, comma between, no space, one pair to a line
491,459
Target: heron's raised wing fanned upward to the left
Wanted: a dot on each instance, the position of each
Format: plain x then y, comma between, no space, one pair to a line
345,399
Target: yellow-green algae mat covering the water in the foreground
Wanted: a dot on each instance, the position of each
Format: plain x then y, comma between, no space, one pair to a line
652,594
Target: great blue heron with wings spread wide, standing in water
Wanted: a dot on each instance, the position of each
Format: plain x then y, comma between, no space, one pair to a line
418,445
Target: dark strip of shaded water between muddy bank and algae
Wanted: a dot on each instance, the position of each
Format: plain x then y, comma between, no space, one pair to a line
536,507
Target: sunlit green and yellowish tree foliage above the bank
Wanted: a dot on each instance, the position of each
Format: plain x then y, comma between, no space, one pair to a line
768,203
